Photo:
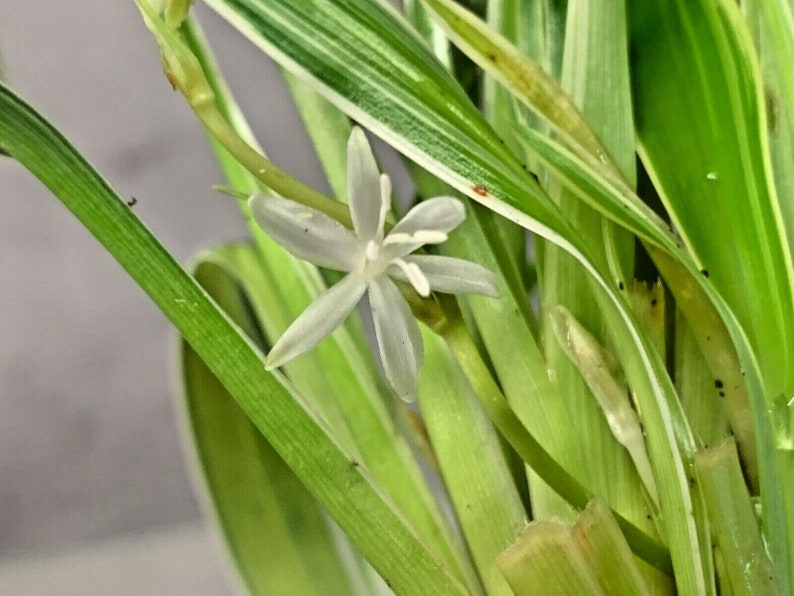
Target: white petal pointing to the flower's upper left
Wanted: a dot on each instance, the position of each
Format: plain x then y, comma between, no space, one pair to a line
307,233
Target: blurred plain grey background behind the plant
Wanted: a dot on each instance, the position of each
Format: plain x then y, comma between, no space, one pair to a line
88,449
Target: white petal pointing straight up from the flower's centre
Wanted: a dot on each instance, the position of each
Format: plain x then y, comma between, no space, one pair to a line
364,190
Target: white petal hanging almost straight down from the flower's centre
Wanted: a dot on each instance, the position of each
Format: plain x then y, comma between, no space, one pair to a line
399,340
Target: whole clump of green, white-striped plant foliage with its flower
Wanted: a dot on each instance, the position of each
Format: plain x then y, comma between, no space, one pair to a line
620,419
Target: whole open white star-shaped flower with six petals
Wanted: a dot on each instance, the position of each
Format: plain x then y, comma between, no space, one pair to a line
372,259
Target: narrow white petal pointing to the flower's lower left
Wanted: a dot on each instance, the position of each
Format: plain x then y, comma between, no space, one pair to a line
319,319
